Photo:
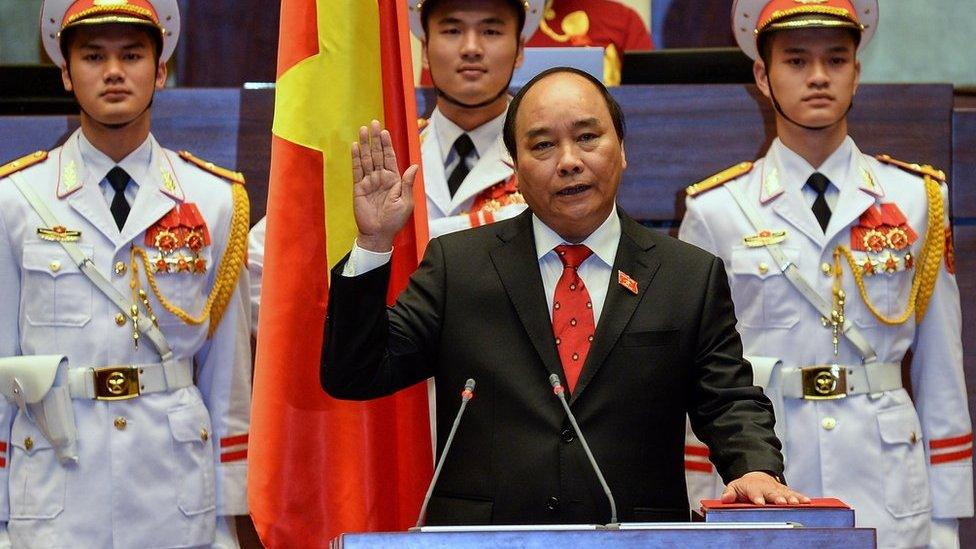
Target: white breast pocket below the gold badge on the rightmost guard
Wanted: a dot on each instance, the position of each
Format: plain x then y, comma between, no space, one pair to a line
763,296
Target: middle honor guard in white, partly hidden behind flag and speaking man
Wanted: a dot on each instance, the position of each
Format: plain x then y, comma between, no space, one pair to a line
468,175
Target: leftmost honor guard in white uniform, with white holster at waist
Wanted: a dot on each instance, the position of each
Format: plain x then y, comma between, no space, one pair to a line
123,312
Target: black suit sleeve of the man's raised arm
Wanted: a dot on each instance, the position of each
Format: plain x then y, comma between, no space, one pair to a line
371,350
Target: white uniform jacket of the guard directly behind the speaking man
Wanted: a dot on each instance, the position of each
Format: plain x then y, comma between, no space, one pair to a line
493,168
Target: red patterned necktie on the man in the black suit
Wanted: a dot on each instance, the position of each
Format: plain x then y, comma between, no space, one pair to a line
572,313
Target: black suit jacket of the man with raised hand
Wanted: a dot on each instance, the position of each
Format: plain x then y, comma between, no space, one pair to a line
475,308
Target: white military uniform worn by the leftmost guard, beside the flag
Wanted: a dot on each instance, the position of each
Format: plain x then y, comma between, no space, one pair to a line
157,469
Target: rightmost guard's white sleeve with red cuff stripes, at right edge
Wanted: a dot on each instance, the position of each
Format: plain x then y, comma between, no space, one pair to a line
941,401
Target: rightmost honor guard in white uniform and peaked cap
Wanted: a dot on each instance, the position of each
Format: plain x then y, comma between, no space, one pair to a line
841,264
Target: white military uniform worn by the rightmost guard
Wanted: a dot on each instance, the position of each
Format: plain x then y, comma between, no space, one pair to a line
898,464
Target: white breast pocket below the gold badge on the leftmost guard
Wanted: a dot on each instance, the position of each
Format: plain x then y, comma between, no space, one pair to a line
55,292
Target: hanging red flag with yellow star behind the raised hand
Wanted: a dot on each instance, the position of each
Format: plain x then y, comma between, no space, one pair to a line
318,466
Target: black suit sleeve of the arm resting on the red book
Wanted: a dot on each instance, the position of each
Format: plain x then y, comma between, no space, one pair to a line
733,417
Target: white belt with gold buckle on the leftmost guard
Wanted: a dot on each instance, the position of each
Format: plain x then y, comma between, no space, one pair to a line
121,382
